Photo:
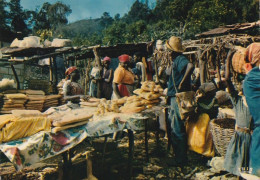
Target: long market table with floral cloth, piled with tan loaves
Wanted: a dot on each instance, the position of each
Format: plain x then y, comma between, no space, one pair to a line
71,124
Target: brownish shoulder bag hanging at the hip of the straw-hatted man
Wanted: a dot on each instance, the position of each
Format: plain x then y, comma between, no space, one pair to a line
186,103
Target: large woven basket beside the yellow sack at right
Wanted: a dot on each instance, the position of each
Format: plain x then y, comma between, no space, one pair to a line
222,131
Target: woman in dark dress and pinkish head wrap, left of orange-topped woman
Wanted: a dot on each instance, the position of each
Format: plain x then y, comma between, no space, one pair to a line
107,77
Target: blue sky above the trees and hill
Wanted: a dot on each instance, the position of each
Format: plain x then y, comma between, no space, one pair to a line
85,9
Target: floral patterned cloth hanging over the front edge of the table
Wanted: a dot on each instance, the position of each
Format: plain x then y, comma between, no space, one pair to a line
43,145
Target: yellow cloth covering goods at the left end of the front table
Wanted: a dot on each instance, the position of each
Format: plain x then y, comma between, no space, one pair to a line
22,123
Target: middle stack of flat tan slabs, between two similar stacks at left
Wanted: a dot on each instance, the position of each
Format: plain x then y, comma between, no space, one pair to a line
35,99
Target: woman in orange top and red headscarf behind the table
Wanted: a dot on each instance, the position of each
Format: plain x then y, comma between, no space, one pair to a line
123,78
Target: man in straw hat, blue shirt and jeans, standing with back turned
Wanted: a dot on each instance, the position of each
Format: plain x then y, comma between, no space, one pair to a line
180,80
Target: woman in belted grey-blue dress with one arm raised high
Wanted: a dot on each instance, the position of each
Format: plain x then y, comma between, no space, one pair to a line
237,154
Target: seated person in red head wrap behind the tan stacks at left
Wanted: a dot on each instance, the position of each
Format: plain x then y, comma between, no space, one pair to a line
71,88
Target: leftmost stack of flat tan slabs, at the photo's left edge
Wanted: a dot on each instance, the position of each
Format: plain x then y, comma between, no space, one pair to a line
12,102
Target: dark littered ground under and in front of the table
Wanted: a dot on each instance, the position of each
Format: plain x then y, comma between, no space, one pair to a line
114,164
